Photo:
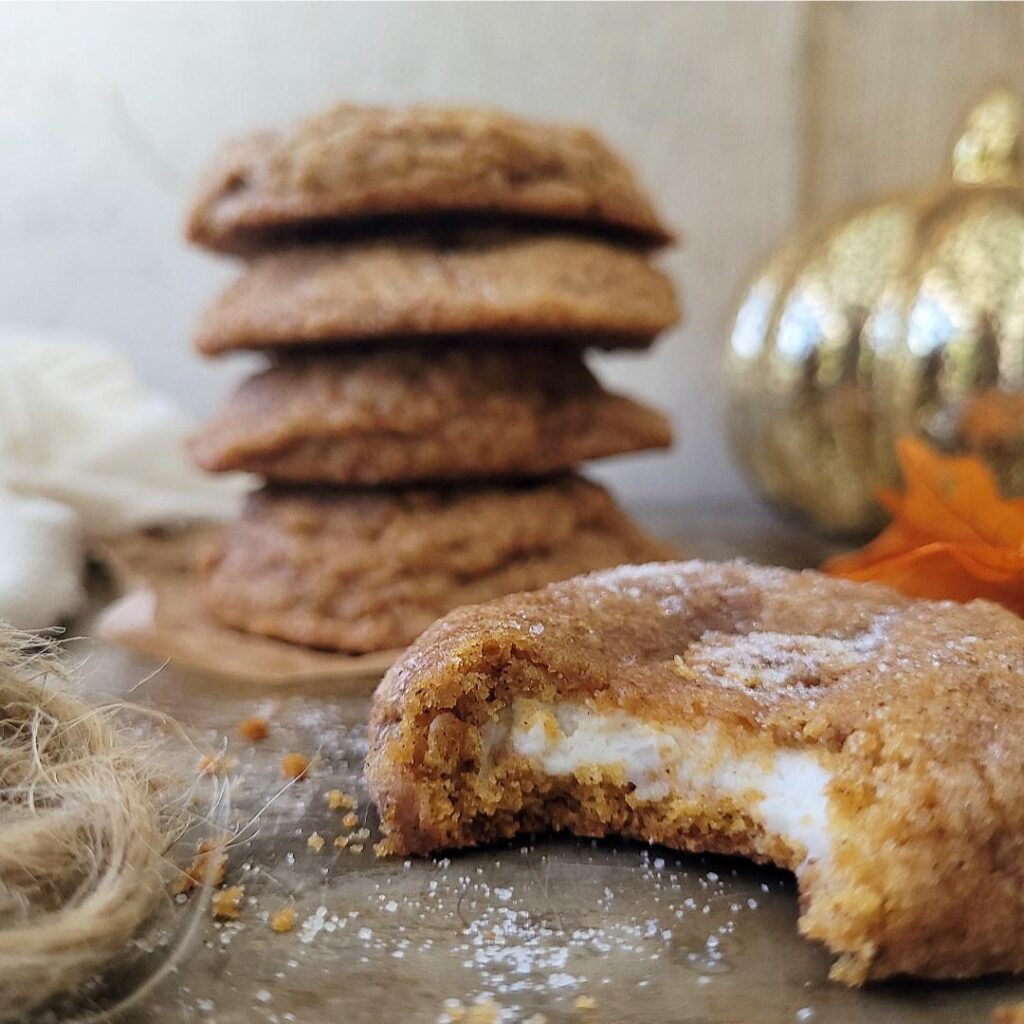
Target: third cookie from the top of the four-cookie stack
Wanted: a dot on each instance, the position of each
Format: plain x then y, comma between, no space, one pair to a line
402,417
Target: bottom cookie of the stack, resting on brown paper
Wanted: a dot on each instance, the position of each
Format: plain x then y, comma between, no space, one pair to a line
364,571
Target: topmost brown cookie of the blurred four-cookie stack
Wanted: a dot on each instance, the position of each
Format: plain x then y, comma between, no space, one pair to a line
354,163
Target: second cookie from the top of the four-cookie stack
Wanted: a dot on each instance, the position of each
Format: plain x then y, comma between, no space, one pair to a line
569,290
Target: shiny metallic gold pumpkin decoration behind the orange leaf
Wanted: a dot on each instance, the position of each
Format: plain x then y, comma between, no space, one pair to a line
906,318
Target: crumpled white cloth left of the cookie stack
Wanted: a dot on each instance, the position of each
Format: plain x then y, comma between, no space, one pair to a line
86,452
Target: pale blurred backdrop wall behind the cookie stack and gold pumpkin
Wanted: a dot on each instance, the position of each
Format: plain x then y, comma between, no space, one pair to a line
741,118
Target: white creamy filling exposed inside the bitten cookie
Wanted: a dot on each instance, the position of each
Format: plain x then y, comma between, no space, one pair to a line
785,791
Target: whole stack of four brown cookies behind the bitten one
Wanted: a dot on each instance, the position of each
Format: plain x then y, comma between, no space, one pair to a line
424,282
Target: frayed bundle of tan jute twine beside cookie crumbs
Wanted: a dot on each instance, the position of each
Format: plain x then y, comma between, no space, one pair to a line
86,823
